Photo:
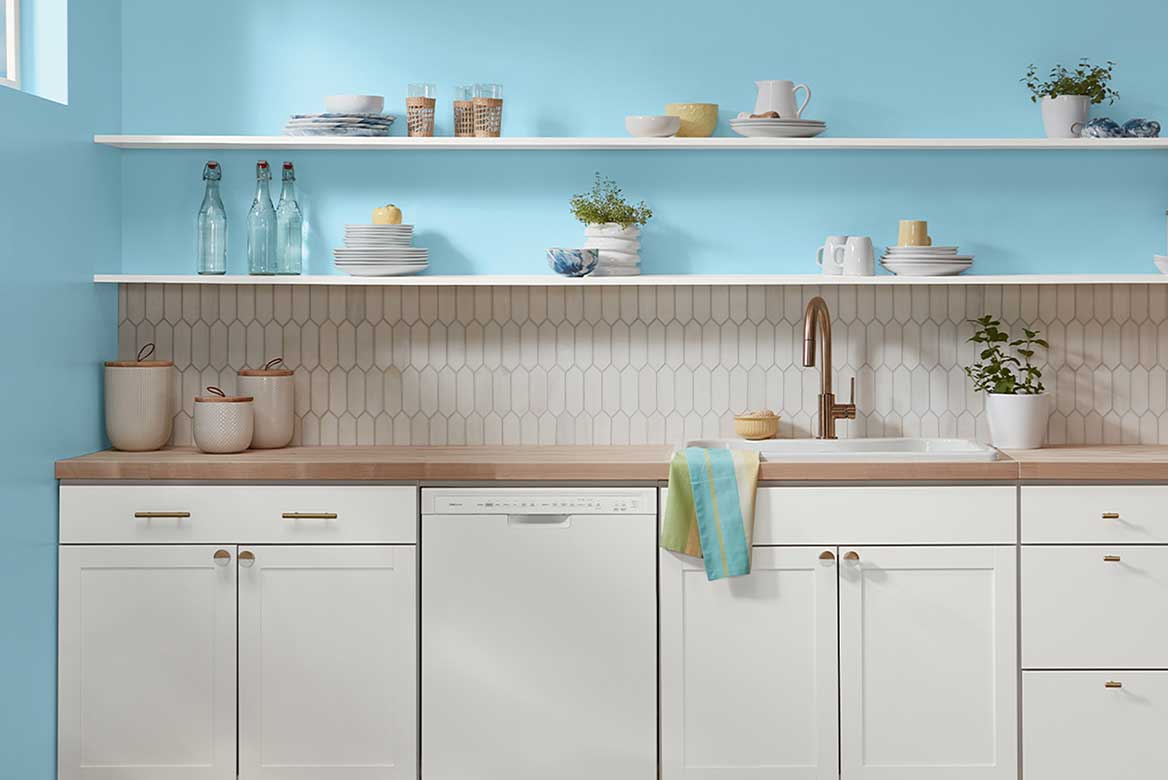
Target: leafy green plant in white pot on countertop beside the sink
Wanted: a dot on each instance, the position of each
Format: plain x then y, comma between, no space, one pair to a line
1017,402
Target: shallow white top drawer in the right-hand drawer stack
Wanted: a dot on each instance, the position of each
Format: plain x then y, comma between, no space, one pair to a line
1128,514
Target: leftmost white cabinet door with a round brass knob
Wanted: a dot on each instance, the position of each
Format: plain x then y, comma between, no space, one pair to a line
147,664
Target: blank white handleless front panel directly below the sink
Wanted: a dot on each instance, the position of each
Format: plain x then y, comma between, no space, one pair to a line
887,516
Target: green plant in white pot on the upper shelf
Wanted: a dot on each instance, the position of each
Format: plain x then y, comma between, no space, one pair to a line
1067,96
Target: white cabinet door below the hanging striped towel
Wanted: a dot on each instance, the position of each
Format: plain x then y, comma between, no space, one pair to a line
749,668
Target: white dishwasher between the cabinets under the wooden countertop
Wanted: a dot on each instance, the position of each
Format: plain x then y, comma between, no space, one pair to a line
539,633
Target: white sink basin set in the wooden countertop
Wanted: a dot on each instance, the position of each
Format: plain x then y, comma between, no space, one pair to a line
808,450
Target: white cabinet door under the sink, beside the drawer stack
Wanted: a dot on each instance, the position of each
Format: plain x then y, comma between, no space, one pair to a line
928,664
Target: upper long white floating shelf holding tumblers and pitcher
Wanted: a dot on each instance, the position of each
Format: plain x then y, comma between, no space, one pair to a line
553,144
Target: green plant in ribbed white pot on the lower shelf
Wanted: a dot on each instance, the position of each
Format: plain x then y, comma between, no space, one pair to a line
613,226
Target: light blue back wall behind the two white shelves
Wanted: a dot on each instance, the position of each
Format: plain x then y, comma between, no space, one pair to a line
891,68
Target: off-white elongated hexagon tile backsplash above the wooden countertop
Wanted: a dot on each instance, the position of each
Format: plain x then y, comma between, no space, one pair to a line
649,365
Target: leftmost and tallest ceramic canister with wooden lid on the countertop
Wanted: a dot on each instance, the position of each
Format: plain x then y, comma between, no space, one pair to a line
140,402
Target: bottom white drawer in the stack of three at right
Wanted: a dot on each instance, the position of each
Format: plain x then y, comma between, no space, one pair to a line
1076,728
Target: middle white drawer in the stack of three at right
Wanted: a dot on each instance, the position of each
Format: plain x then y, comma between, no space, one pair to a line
1084,610
